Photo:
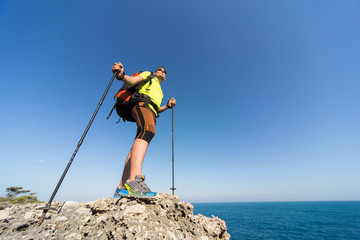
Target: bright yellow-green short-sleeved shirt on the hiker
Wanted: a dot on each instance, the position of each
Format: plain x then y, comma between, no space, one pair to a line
153,90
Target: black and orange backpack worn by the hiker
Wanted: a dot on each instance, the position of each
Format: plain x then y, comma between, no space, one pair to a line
128,96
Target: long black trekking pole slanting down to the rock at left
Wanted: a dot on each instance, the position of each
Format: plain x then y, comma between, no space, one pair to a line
47,207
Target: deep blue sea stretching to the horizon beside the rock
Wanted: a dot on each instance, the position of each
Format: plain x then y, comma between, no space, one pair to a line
287,220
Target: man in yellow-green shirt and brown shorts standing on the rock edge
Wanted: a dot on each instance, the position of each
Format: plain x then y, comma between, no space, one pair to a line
144,113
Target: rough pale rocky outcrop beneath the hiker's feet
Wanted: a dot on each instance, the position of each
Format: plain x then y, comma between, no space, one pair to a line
162,218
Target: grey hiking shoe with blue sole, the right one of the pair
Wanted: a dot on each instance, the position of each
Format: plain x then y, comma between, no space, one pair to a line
138,187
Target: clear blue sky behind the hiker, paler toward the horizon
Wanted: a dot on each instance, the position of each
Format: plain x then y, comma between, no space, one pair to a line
267,97
